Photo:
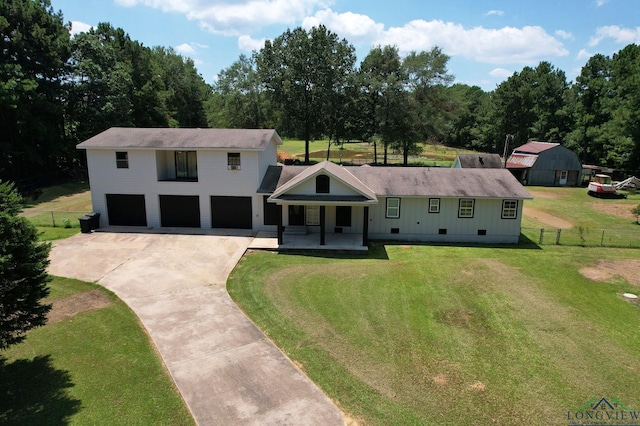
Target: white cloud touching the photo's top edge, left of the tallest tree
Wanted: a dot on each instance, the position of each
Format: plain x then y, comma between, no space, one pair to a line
230,17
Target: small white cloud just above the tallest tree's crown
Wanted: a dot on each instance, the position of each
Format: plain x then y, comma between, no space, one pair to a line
354,27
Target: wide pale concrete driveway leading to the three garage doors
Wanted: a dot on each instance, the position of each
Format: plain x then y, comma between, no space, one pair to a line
226,369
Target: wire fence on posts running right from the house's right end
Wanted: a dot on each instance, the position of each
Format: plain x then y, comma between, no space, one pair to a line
584,237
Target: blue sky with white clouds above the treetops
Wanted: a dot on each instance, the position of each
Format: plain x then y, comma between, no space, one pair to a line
487,40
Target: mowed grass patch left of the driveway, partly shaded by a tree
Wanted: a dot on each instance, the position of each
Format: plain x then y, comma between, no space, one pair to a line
97,367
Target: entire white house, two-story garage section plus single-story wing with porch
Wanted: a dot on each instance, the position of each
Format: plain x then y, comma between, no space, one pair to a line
230,178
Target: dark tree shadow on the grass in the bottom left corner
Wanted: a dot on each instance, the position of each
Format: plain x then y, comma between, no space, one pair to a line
34,392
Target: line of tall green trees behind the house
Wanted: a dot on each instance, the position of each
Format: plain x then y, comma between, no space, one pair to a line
57,90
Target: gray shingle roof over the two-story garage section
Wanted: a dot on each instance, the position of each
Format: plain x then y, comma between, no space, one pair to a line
164,138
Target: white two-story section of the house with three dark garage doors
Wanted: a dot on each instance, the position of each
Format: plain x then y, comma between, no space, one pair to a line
201,178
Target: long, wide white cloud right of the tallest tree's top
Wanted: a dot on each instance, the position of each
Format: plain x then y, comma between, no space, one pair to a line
527,45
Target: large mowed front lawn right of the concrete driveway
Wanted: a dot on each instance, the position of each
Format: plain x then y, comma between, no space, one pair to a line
450,335
